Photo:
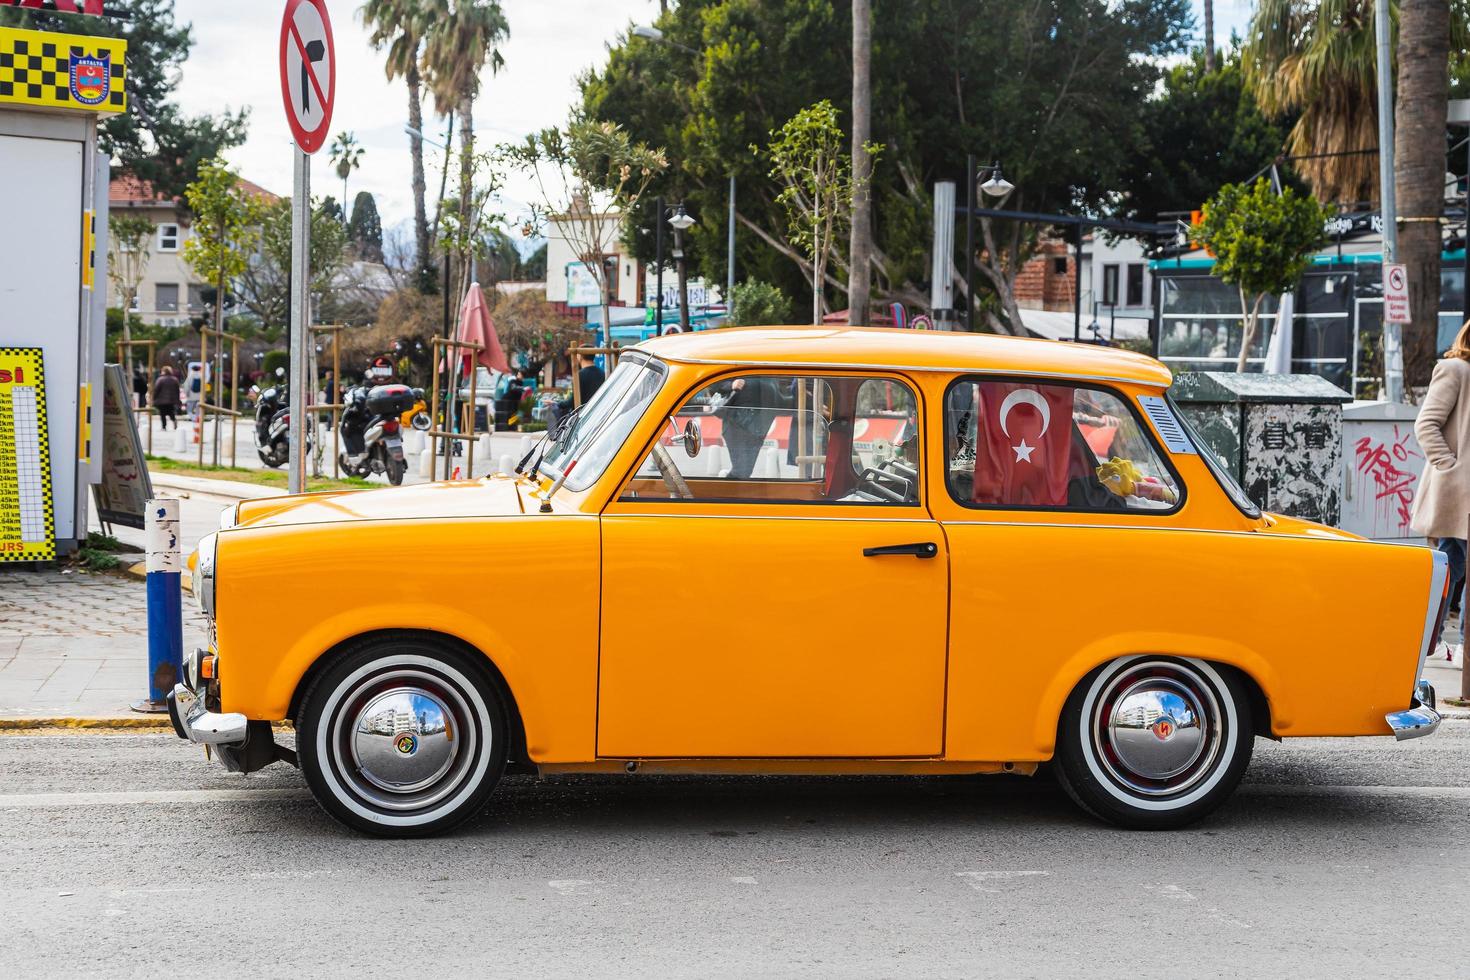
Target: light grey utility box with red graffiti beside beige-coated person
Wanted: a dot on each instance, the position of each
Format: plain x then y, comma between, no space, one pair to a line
1384,465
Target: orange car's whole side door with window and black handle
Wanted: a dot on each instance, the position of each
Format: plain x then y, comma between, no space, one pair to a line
777,587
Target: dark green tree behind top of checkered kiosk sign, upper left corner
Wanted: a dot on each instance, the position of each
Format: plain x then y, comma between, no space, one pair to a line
154,140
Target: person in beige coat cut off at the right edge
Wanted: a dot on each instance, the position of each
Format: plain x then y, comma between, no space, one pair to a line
1443,505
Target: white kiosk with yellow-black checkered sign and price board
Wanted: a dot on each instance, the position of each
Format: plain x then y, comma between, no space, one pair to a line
54,293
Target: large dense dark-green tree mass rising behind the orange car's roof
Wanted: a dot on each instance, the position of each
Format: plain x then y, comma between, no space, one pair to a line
1049,90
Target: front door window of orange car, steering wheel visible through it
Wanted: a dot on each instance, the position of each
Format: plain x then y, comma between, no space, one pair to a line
787,439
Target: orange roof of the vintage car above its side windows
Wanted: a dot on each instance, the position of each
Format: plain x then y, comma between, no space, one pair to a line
909,350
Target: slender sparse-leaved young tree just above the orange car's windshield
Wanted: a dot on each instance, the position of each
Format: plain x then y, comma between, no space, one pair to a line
603,176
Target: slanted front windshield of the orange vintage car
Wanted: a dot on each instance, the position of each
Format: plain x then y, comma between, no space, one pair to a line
595,434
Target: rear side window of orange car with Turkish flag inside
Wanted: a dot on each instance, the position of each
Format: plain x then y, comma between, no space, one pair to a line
1059,447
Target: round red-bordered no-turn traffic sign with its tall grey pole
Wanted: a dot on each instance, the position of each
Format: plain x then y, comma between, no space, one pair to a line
308,89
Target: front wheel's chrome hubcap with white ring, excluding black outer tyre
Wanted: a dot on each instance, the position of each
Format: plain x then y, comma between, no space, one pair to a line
405,740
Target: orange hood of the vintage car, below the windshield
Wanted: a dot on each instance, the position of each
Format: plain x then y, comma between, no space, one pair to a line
492,497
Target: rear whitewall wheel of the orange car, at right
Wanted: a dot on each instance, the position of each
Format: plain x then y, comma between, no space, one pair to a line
1155,743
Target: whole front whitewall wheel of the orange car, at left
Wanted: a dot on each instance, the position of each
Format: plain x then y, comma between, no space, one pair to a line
402,740
